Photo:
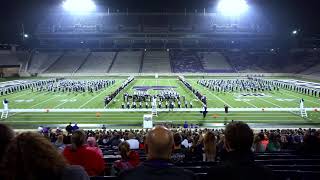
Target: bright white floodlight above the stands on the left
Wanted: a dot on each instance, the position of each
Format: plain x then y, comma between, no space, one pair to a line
75,6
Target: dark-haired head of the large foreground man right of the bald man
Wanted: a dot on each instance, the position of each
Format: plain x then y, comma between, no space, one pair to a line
238,137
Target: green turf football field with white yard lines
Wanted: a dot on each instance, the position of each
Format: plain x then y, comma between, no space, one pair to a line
54,100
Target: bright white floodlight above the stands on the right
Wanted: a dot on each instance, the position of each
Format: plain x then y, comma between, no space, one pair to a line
232,7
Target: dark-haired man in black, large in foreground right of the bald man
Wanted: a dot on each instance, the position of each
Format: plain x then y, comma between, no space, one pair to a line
239,163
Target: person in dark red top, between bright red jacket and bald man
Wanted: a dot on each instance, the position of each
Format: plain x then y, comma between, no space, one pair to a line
129,159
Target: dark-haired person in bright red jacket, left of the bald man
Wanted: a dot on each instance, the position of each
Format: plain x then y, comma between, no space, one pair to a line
79,154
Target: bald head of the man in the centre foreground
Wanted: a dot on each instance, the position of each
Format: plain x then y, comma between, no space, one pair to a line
159,143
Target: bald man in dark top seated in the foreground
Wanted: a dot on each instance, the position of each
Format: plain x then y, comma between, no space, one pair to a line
158,146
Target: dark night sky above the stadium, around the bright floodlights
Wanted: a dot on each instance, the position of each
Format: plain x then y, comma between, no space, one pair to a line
284,14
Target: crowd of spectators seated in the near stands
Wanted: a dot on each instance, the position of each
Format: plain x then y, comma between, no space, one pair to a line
78,154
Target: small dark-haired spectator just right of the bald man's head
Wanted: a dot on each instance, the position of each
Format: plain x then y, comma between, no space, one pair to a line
179,153
